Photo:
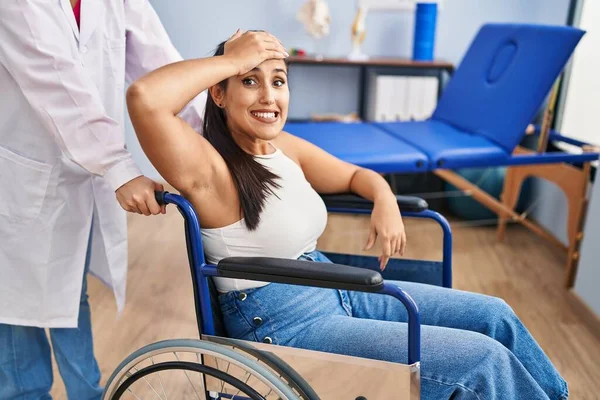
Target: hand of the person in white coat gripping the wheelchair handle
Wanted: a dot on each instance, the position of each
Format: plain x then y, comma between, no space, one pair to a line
137,196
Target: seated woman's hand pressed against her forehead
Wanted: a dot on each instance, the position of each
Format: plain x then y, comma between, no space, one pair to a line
249,49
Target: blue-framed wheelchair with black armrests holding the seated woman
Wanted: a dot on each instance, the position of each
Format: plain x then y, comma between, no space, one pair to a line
216,367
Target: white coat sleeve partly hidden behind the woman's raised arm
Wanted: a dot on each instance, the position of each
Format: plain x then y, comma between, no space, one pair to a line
149,47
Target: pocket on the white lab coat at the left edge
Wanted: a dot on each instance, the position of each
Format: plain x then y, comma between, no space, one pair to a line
23,186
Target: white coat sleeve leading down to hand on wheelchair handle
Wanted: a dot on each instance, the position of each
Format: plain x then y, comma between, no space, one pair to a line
34,37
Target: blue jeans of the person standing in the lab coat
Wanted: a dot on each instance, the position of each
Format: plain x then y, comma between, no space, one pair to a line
26,363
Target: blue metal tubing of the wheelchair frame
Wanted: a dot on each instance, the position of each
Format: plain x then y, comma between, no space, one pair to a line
201,271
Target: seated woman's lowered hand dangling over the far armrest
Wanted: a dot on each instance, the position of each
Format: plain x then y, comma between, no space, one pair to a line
387,225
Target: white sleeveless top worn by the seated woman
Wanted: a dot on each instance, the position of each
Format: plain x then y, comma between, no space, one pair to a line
290,224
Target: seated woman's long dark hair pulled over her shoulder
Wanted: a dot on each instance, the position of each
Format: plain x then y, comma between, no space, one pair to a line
253,181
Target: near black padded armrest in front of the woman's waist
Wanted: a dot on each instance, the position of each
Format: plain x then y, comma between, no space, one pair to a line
306,273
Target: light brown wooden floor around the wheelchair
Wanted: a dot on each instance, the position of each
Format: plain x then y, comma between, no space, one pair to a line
524,270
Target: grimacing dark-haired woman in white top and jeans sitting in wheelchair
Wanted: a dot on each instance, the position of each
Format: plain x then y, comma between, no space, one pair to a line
255,190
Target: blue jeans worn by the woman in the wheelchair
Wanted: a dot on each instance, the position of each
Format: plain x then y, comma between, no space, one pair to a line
473,346
